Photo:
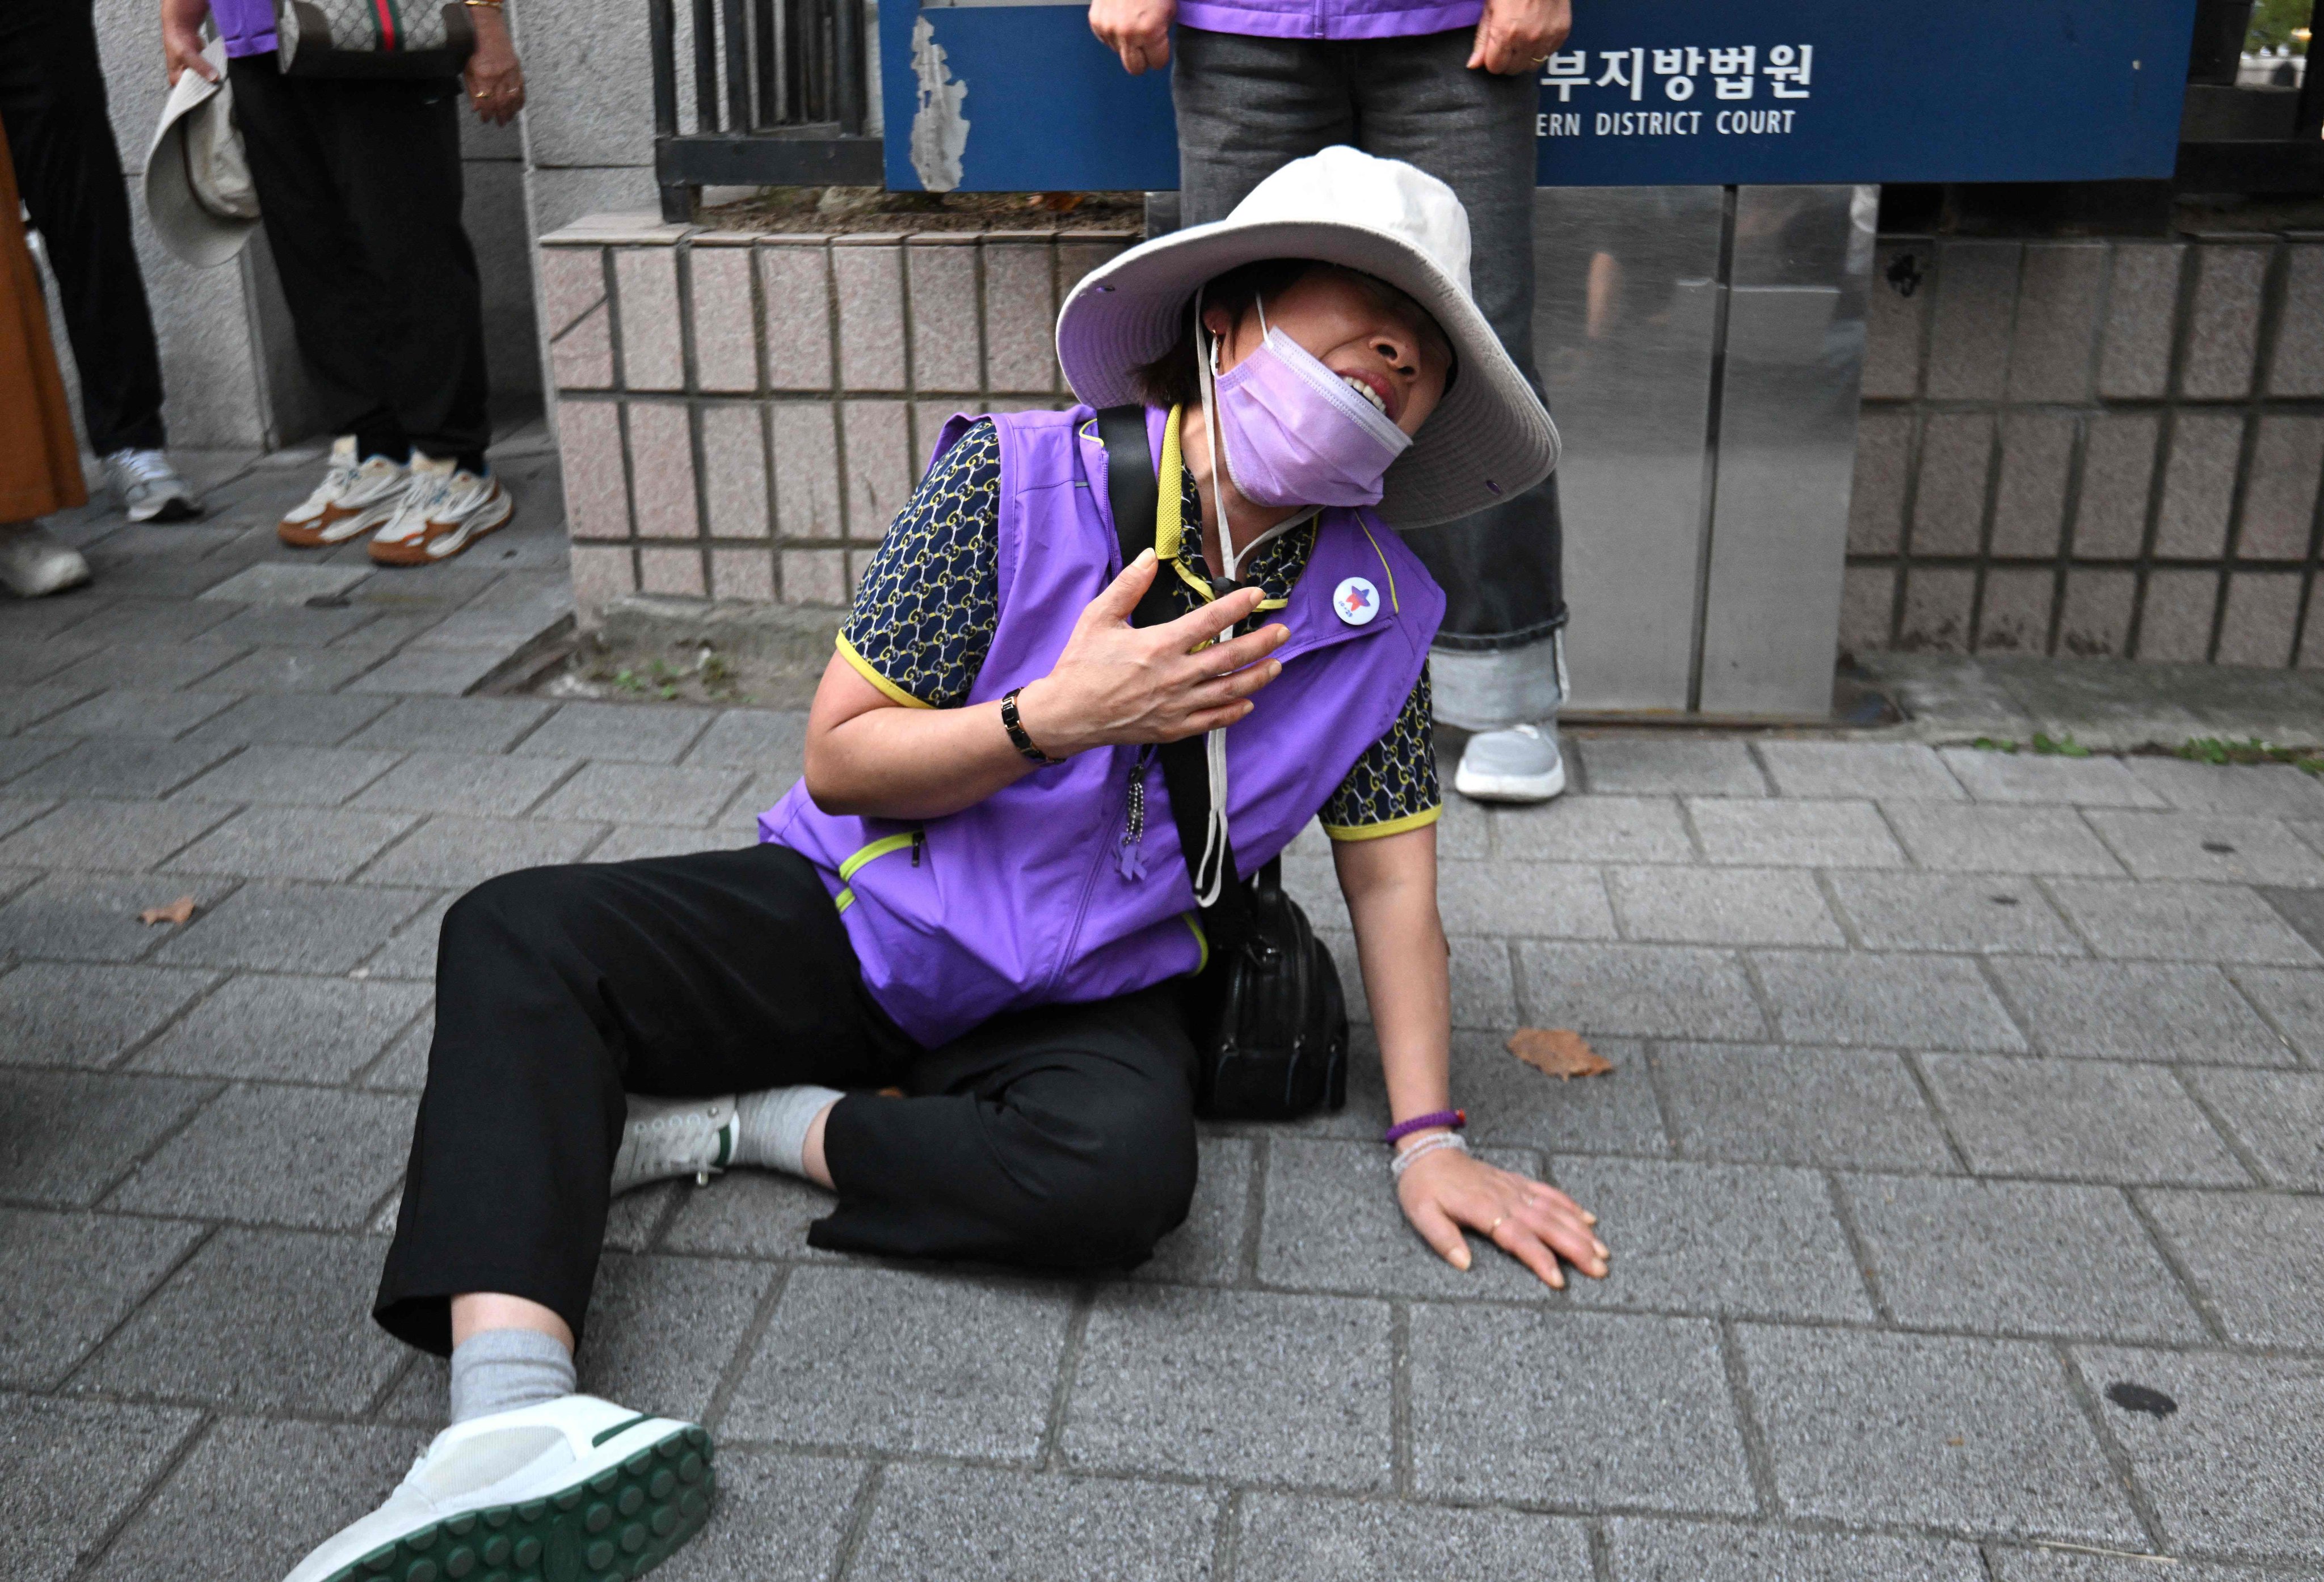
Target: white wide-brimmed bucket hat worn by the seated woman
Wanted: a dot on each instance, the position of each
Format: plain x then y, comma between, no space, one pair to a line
1486,443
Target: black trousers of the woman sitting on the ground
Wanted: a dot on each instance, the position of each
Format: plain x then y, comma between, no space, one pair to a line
1049,1139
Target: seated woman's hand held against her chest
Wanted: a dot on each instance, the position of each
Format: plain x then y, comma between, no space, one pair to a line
1119,684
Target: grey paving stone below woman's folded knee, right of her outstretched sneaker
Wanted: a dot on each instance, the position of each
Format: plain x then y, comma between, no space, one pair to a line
940,1365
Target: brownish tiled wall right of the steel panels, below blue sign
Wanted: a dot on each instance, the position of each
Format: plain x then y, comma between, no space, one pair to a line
2093,450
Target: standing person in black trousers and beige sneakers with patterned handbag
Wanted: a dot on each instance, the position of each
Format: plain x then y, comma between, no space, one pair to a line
359,187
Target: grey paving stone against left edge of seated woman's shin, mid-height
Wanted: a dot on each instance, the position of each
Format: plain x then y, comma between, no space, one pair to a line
278,1156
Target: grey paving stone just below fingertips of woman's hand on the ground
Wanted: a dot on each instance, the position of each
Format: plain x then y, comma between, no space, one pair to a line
1575,1409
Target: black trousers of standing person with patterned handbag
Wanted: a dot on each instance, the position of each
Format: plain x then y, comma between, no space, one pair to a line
359,185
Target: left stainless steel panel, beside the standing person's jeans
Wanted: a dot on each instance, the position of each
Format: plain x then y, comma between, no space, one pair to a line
1623,326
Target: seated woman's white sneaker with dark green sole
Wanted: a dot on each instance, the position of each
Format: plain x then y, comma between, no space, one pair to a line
575,1488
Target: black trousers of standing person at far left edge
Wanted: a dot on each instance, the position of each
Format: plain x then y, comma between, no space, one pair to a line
69,168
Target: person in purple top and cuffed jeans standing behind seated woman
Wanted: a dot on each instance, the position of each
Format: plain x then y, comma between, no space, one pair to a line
1449,87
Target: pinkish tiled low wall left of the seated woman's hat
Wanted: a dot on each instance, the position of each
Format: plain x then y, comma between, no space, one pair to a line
743,415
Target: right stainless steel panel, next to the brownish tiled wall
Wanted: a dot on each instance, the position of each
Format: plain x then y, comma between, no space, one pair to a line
1786,447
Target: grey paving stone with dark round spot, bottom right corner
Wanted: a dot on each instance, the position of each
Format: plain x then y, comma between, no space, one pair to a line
2239,1467
